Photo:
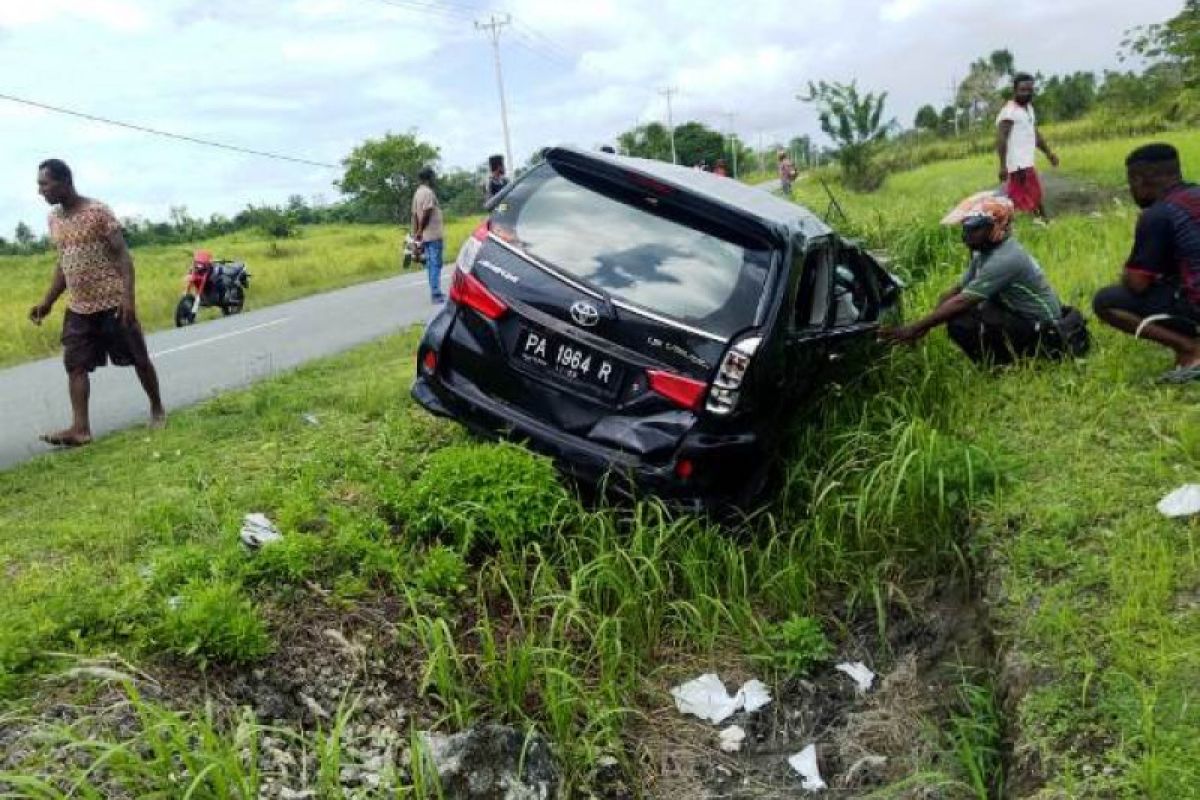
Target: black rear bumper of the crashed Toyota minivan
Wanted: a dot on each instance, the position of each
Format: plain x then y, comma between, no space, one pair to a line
721,464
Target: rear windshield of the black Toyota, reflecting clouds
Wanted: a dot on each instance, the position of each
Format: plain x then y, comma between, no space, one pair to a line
644,251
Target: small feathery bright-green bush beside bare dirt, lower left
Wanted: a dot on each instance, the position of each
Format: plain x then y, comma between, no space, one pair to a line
213,622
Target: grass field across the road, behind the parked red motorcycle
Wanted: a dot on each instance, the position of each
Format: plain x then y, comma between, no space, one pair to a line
320,260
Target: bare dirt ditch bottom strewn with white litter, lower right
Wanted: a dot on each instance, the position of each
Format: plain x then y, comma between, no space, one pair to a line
886,737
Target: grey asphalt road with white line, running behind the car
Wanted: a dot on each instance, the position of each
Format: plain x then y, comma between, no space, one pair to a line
209,358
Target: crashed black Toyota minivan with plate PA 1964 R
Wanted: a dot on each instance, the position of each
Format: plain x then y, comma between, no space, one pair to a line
647,321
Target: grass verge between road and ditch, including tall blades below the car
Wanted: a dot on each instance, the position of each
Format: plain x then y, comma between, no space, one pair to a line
524,606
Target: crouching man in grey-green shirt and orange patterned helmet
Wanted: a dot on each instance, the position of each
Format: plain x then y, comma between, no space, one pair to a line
1004,308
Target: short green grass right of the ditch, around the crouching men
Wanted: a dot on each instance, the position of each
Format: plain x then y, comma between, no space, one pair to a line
1094,586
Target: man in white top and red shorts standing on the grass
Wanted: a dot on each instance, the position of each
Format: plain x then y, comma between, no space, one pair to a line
1018,141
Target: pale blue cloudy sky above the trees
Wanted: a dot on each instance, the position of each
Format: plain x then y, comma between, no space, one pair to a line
314,79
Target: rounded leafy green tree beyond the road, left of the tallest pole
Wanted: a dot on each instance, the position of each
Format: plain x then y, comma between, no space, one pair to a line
382,173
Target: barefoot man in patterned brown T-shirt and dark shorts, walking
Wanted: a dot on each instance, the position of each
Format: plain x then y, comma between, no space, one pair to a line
101,326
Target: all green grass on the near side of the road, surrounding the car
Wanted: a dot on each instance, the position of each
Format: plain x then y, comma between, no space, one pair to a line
523,606
